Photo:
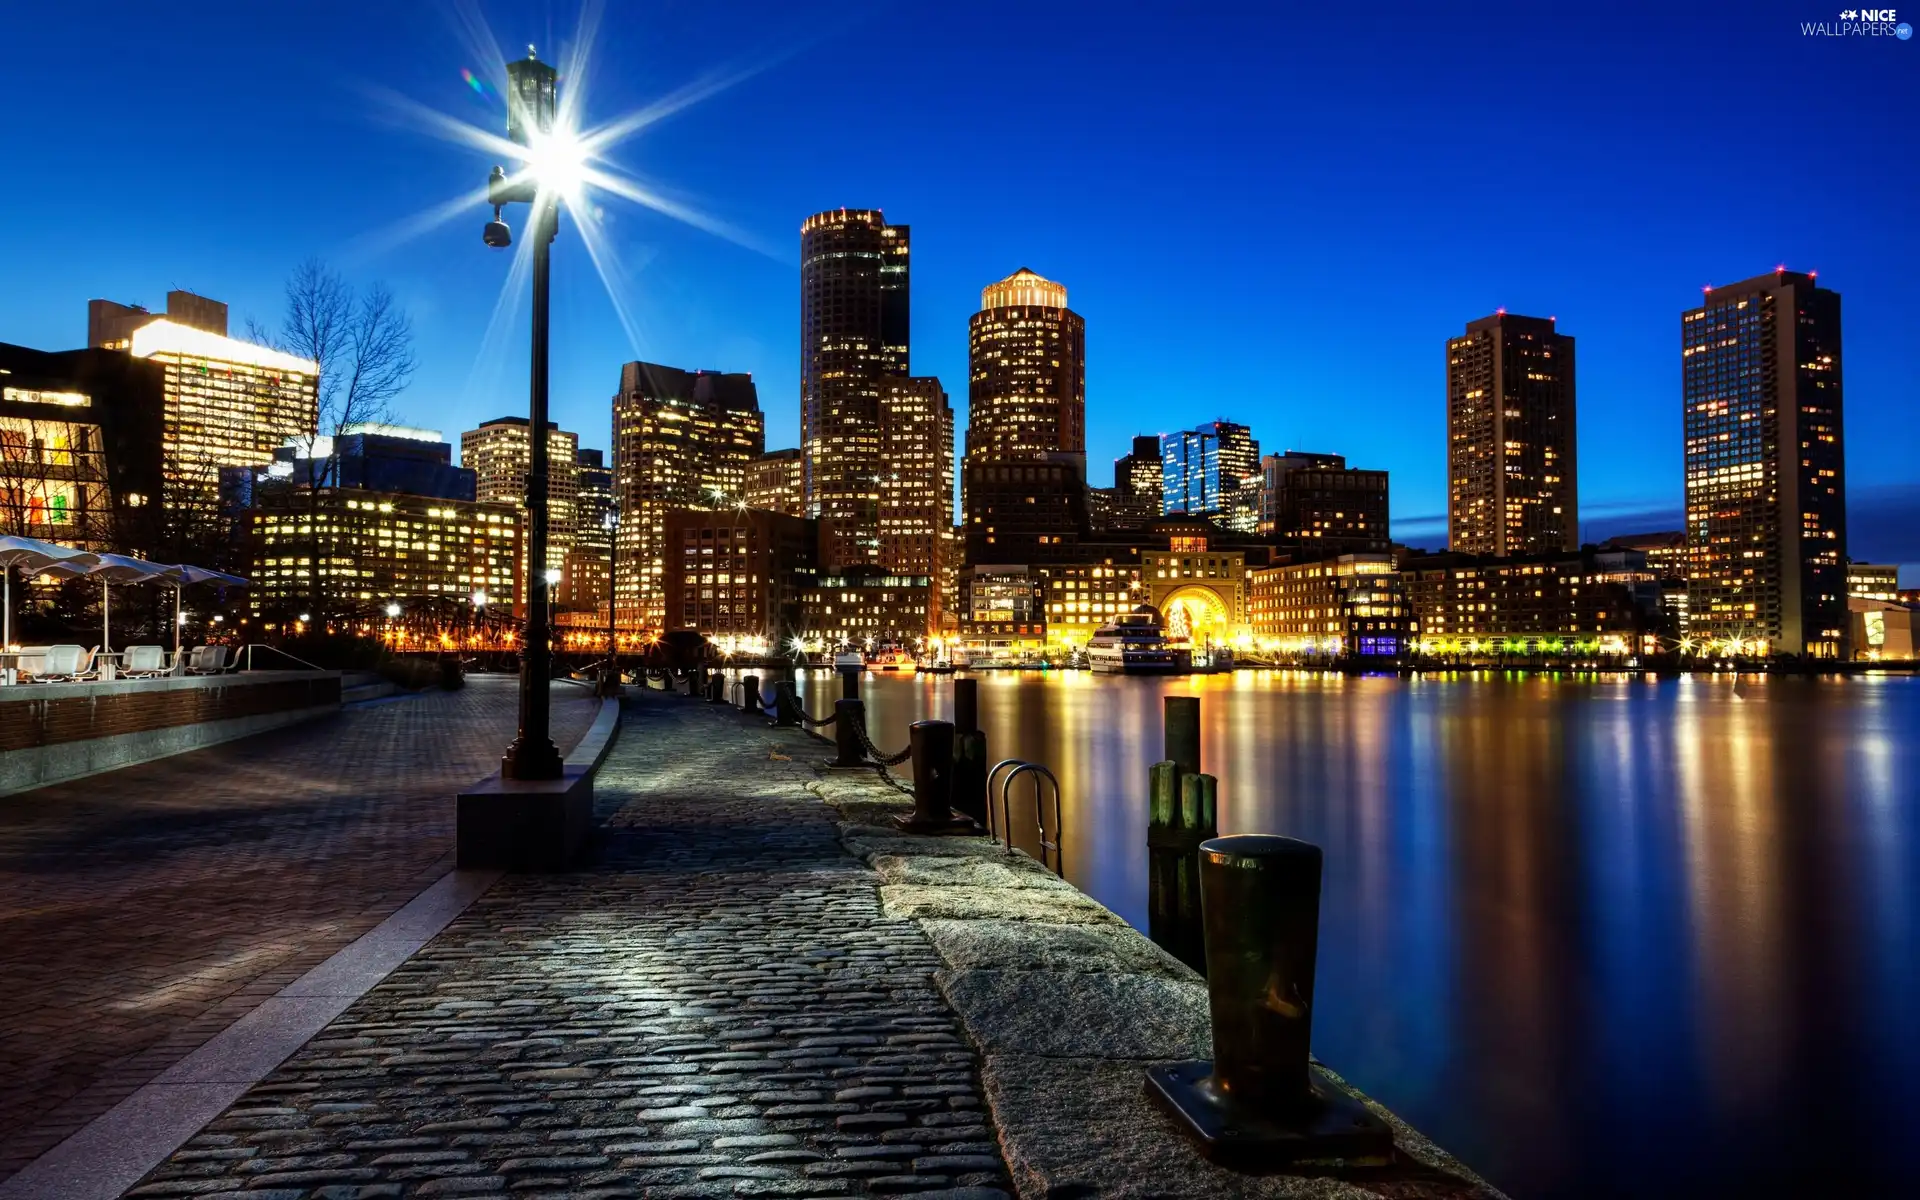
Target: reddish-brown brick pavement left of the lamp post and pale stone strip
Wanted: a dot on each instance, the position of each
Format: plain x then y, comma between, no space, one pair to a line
151,907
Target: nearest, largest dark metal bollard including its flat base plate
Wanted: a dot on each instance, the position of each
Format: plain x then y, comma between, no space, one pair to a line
1262,1103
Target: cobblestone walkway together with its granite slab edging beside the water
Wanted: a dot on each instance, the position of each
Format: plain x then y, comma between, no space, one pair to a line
757,990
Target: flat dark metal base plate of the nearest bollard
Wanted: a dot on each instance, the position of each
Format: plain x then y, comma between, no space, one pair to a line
1333,1130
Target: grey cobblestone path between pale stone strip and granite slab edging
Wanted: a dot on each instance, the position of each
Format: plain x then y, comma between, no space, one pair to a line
719,1009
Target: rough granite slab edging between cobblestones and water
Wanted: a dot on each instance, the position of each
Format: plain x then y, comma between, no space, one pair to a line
1068,1007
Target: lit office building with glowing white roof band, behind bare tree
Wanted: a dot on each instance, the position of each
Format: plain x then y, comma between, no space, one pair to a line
224,404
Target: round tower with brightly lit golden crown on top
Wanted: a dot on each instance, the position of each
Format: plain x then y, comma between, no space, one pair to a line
1026,373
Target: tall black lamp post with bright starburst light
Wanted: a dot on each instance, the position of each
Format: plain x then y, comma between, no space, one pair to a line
533,101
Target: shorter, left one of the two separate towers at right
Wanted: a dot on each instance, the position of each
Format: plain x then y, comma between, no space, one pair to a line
1510,412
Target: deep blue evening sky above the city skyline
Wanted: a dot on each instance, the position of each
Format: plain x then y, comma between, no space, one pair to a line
1266,216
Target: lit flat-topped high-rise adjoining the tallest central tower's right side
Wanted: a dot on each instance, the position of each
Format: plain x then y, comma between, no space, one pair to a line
917,483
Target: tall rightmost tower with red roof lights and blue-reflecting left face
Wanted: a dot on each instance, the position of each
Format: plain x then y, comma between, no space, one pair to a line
1765,466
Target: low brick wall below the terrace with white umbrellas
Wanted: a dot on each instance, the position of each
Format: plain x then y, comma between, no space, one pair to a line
53,732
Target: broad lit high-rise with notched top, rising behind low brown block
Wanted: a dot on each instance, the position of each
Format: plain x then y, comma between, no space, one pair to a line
683,441
